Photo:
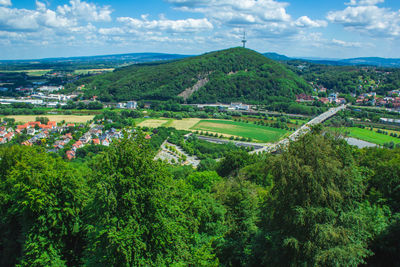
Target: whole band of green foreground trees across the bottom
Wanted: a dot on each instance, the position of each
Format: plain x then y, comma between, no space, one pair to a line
318,203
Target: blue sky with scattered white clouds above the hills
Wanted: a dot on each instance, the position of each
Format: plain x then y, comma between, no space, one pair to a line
32,29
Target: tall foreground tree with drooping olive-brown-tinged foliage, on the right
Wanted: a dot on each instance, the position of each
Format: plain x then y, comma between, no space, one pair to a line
315,215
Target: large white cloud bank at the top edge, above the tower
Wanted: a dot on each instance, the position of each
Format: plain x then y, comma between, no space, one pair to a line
264,18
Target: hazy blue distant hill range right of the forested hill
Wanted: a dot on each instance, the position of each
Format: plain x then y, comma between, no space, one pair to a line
361,61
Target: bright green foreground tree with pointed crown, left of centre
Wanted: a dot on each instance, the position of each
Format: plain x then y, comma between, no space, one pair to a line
139,215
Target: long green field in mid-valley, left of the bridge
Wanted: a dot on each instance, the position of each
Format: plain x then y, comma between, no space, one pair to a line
256,132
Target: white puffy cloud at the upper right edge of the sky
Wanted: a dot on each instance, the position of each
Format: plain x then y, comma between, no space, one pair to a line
371,20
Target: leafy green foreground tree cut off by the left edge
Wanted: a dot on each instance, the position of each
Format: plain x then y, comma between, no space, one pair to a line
41,199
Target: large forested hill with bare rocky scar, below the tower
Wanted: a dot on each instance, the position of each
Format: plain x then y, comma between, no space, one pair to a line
235,74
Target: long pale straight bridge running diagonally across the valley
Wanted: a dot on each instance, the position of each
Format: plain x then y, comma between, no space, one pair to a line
270,148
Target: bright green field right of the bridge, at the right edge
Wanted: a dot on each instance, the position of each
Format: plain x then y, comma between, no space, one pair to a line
370,136
